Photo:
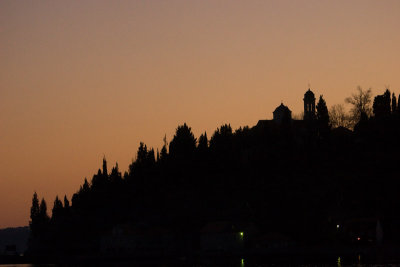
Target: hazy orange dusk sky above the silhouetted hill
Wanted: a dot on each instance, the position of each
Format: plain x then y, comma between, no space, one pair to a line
80,80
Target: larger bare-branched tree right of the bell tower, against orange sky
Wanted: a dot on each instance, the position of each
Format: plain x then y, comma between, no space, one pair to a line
361,102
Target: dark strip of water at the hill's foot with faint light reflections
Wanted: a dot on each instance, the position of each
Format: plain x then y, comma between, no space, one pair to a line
282,257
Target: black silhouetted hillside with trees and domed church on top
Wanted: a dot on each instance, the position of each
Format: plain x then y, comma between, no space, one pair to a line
283,182
